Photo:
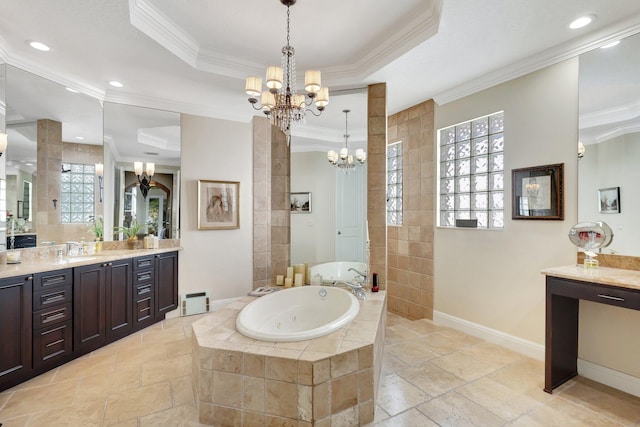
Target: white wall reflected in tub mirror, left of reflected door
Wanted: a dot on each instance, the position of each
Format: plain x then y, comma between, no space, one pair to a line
313,235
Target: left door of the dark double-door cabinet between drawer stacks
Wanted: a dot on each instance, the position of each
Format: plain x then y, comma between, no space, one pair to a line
89,314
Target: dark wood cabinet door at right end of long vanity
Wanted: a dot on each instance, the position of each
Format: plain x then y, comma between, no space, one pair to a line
166,275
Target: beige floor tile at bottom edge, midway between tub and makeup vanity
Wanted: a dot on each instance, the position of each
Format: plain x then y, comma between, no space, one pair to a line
453,409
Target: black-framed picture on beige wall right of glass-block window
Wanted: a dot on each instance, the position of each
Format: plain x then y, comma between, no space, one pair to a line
538,192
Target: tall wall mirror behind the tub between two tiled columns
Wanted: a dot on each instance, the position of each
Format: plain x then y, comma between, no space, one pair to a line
335,227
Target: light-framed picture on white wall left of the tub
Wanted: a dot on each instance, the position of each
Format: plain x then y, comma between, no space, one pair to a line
218,205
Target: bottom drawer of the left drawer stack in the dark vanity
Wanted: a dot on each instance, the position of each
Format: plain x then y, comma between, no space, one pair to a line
52,346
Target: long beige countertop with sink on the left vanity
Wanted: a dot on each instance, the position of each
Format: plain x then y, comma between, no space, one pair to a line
50,263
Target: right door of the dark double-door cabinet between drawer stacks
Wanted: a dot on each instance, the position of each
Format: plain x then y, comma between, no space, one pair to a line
119,299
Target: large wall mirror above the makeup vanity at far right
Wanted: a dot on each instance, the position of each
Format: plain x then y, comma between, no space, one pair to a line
609,129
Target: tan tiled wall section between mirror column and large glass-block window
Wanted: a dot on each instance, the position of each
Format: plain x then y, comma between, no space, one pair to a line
410,257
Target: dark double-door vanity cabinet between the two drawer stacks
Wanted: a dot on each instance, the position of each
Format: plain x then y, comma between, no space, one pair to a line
102,304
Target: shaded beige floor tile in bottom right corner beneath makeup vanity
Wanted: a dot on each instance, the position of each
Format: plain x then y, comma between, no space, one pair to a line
604,400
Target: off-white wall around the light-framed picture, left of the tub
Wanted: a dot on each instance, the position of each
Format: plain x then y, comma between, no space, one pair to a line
220,261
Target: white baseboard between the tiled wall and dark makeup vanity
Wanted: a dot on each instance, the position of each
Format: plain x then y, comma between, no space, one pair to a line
526,347
